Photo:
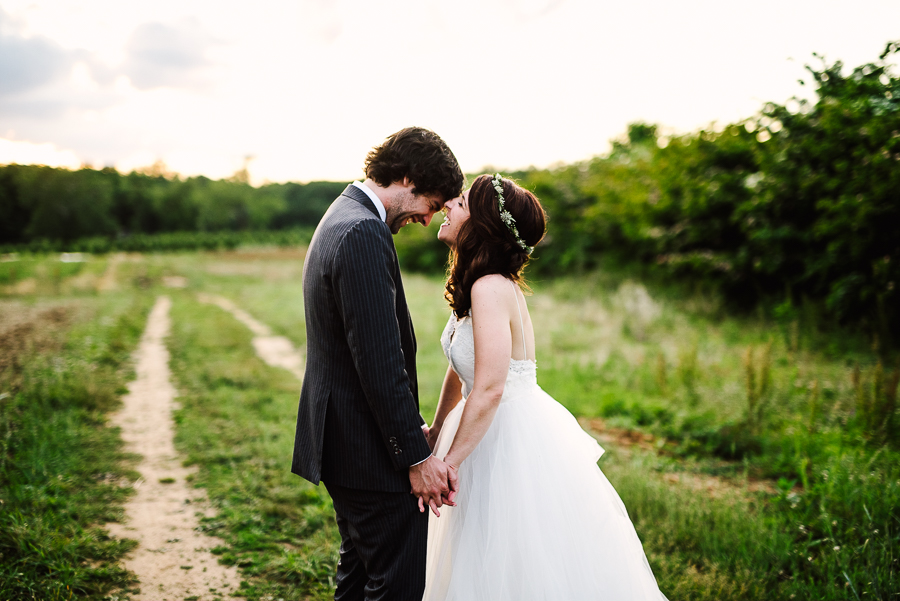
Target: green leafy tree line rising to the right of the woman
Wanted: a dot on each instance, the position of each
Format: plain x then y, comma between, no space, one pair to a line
799,205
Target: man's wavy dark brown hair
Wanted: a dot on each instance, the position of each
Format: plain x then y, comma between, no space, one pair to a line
423,157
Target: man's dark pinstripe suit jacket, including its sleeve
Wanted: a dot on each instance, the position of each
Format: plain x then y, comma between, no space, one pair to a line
358,424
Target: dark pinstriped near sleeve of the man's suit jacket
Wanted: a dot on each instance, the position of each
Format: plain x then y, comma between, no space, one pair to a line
365,293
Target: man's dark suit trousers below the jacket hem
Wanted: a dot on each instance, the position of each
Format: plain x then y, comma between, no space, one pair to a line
383,544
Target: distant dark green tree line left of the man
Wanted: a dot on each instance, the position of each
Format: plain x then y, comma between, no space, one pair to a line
49,208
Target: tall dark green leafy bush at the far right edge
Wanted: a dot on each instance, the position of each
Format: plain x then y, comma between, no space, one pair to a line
826,221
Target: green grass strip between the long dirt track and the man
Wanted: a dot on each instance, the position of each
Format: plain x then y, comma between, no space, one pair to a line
237,425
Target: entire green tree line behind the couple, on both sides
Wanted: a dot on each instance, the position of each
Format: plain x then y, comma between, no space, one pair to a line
797,206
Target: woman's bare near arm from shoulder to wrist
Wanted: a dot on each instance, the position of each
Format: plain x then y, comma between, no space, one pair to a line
493,346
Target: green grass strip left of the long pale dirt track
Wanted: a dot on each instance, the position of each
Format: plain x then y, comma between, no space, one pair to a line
61,467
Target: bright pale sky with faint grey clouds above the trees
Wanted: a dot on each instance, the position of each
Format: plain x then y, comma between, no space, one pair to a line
300,90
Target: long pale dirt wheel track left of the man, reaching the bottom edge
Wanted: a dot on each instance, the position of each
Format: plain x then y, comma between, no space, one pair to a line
172,560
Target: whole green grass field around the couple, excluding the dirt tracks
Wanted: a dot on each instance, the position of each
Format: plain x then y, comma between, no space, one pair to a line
754,455
